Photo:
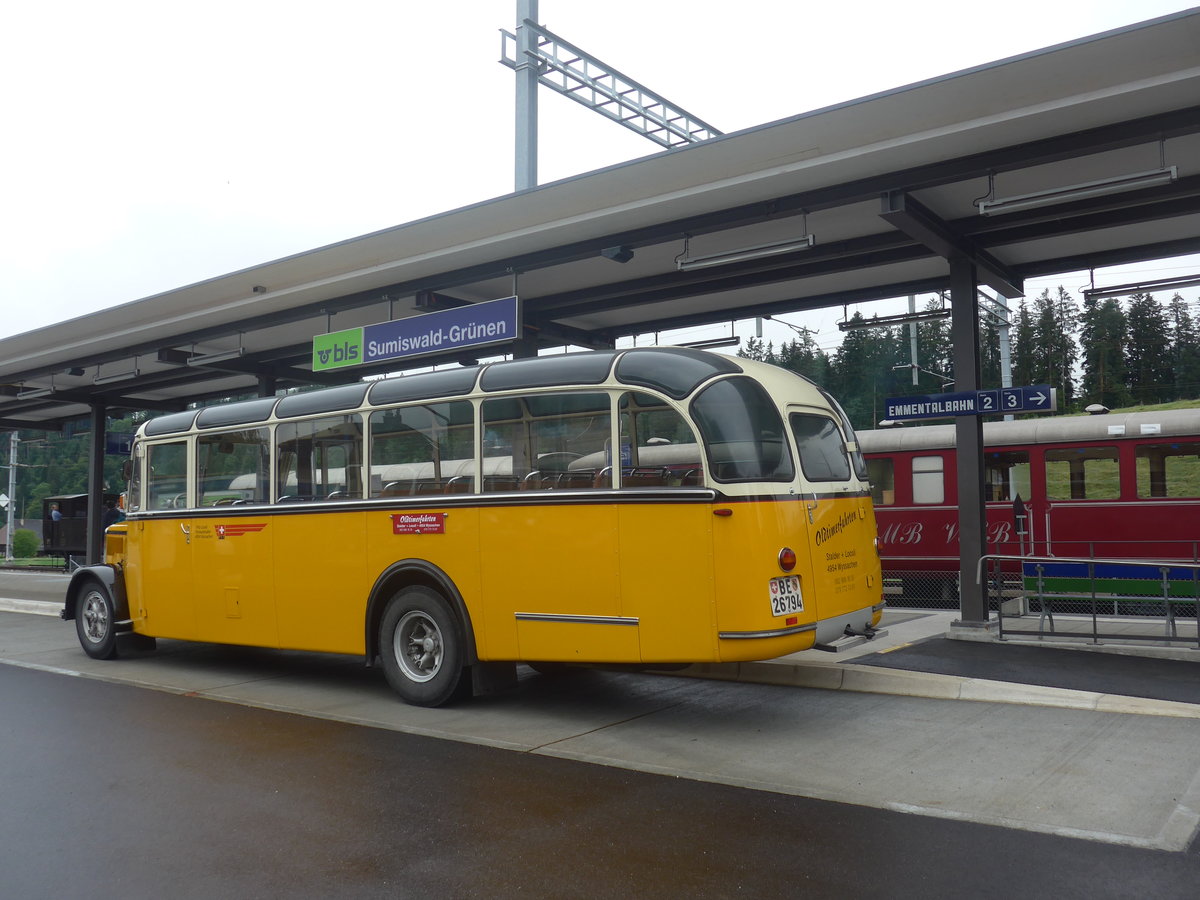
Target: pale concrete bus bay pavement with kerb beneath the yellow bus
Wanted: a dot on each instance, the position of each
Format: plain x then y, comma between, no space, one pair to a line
911,723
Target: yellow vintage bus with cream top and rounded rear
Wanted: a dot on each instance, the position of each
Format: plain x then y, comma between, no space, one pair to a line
651,507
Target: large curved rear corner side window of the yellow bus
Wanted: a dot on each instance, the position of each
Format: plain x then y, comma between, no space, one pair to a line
743,431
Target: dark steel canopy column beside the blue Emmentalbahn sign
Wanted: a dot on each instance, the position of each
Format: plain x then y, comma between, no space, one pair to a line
969,440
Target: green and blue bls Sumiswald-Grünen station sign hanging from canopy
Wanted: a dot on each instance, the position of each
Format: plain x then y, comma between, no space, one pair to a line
494,322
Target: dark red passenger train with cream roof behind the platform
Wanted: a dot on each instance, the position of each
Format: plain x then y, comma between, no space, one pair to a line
1108,487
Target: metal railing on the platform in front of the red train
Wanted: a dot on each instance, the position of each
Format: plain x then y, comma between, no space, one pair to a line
1113,596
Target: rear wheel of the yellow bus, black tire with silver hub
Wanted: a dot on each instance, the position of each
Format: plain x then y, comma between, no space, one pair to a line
422,646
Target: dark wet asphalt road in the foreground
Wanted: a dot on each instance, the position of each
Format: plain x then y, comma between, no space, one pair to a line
116,791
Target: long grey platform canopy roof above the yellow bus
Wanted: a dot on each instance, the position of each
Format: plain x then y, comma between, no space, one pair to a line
889,187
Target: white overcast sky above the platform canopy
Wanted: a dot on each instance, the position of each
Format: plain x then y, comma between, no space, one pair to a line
151,145
